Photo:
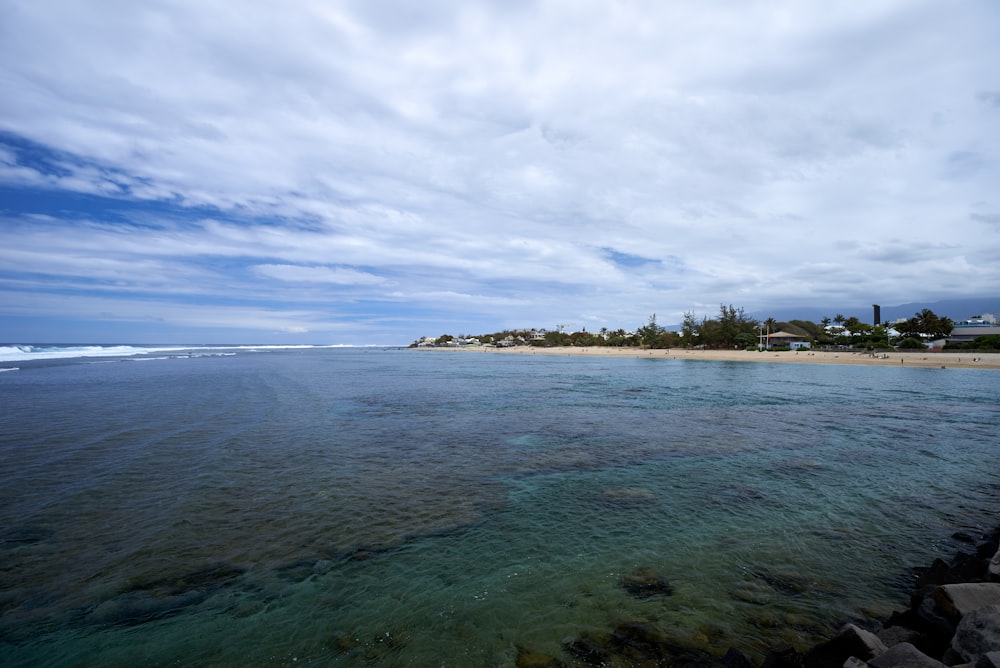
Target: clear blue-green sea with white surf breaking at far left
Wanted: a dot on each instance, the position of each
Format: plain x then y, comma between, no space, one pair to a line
385,507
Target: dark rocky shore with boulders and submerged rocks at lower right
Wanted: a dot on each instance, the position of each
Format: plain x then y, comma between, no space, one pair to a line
953,620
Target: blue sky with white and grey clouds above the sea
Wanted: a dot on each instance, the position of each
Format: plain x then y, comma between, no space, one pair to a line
371,172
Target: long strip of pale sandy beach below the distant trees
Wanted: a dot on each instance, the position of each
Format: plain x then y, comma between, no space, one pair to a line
928,359
